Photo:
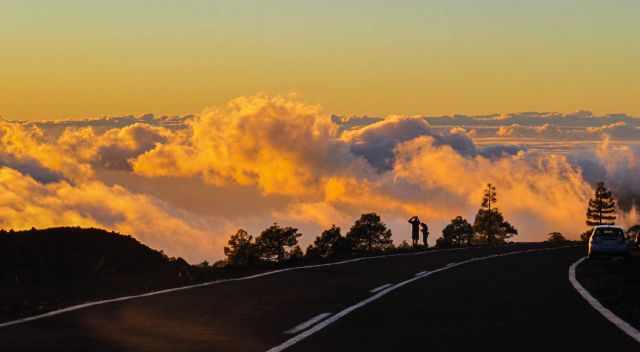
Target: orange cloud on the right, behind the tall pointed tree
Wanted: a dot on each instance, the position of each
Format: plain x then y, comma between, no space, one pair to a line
544,189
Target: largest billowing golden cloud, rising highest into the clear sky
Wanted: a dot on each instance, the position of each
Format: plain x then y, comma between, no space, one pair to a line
283,146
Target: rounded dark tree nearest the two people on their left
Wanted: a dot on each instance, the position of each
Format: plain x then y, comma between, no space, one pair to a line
369,234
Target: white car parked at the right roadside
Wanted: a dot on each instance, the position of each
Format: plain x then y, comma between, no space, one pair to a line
608,240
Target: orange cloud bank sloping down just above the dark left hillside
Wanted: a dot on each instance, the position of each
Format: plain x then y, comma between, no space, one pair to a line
25,202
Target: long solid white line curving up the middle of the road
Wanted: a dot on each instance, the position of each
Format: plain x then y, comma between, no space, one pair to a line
303,335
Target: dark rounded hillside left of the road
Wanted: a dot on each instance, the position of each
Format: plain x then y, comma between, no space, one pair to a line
44,269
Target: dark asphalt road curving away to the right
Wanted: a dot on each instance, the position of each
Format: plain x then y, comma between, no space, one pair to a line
516,302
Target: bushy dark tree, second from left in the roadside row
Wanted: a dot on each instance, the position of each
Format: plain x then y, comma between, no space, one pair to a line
273,242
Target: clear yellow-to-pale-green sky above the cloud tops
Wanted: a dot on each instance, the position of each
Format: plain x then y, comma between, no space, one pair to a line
73,59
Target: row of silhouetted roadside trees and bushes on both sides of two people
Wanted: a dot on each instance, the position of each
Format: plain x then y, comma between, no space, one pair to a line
369,235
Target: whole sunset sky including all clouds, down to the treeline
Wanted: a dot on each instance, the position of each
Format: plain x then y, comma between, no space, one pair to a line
180,122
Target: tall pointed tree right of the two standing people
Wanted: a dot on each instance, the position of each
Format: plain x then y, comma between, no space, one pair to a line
489,221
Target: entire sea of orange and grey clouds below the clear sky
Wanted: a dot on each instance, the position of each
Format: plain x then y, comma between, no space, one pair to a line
184,184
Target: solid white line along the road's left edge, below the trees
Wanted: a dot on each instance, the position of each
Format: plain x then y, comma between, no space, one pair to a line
209,283
